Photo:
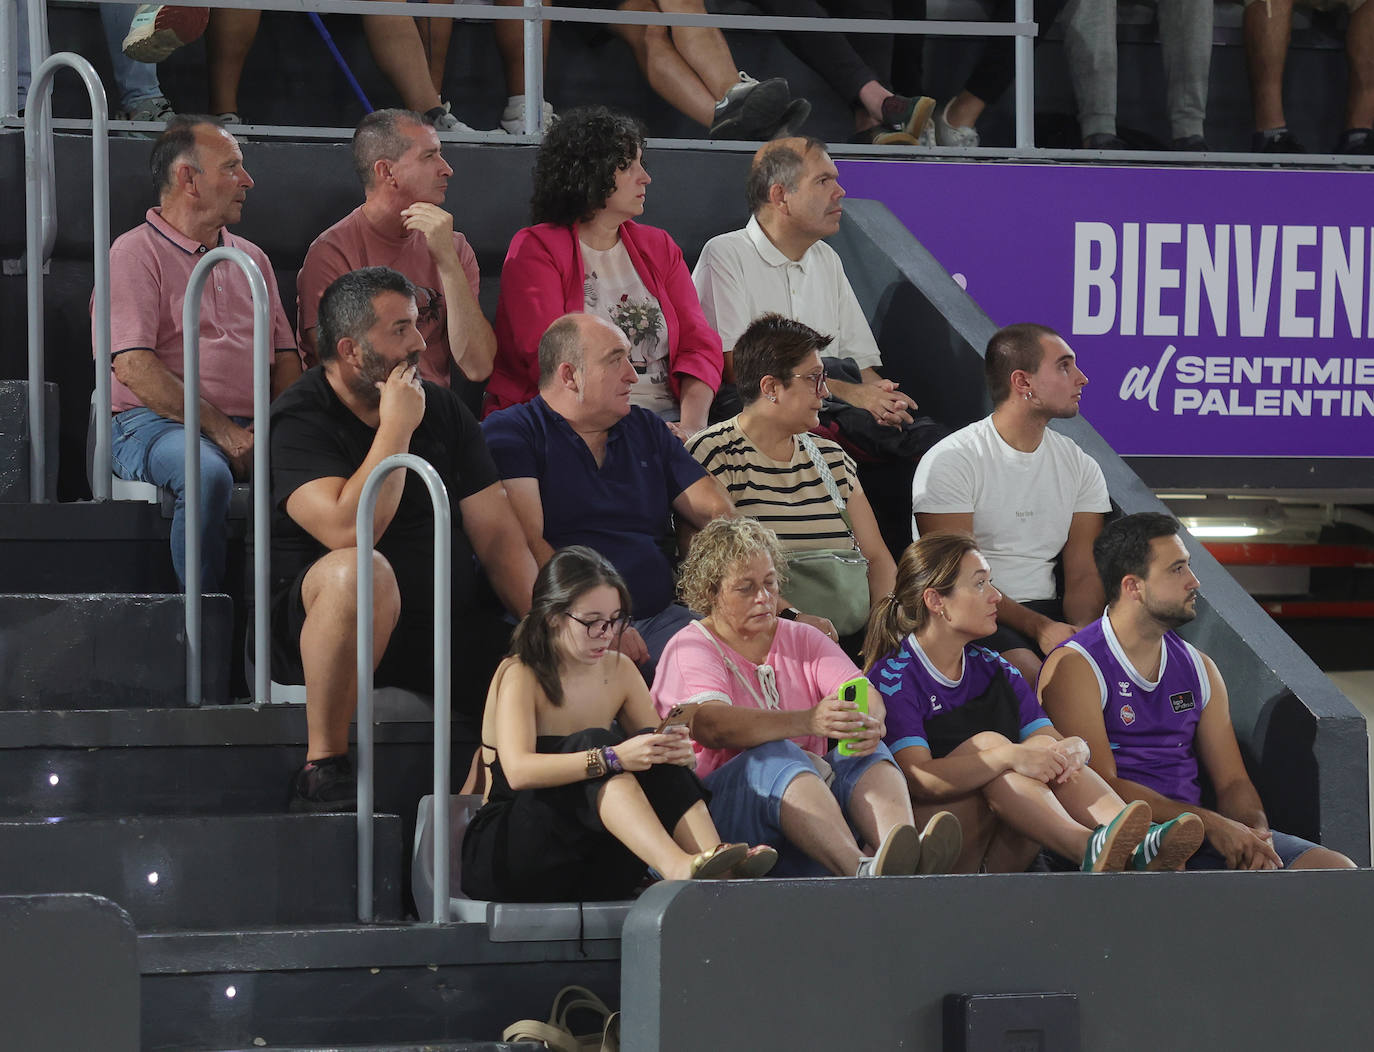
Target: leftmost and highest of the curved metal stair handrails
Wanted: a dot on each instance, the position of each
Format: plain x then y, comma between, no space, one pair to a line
41,234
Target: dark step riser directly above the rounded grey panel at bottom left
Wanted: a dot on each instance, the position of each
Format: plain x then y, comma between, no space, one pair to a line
189,873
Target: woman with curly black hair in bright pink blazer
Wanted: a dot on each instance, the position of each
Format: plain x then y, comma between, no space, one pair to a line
586,253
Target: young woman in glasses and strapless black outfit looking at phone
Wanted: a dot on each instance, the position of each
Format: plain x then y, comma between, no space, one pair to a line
578,810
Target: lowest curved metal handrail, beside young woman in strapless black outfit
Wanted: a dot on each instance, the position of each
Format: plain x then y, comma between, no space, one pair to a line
365,536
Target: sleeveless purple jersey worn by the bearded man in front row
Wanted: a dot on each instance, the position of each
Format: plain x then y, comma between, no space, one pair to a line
1151,726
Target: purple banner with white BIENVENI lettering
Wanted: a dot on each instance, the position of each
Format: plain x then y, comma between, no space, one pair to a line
1215,312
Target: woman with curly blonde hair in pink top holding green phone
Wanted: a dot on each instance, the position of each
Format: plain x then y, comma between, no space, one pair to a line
765,701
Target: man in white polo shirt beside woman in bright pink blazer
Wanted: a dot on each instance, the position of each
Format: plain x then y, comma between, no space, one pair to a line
780,264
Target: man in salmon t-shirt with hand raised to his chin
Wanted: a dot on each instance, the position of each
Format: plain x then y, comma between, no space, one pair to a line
402,226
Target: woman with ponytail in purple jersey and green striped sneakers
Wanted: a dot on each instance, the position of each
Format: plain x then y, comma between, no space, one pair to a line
971,737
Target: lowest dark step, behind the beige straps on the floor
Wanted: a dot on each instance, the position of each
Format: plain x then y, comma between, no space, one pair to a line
370,985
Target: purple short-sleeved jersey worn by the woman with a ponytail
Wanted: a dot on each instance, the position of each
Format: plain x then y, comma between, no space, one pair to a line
914,691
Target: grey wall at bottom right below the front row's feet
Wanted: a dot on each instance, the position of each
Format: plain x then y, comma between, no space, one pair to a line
1262,962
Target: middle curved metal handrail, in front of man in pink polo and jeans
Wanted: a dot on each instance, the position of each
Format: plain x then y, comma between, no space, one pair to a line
262,481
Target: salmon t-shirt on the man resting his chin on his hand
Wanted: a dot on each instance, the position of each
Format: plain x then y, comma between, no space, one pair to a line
354,242
